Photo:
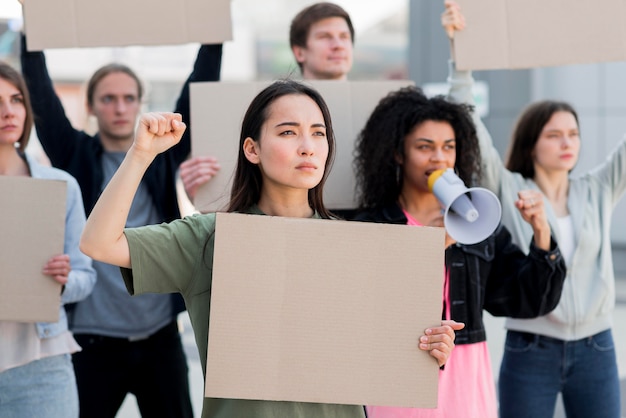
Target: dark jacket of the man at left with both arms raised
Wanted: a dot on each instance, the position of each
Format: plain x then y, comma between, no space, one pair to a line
80,154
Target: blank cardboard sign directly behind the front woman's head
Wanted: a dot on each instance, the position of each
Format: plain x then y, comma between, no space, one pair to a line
217,110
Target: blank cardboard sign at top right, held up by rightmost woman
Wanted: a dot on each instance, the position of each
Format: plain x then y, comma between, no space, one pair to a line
536,33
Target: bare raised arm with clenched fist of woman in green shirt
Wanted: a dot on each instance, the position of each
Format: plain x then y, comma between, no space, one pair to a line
103,238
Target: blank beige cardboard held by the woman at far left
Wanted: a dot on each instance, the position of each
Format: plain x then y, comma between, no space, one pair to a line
33,228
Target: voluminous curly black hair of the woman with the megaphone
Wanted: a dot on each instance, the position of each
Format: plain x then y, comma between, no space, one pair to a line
382,139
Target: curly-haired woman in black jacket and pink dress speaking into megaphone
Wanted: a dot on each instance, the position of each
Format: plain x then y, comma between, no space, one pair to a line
407,138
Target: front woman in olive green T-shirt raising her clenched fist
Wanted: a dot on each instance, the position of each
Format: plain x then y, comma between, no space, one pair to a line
286,149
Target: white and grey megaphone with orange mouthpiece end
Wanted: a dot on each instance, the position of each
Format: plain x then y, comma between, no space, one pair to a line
470,215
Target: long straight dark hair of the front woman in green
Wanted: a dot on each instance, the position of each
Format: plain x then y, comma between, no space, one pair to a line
248,182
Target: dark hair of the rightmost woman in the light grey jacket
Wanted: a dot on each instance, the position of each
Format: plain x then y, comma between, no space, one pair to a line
526,134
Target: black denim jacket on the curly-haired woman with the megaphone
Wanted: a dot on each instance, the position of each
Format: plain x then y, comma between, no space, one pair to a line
494,275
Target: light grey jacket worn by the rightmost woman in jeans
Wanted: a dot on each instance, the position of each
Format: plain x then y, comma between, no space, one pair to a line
588,298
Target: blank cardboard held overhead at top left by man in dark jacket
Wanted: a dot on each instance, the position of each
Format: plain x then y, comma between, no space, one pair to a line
95,23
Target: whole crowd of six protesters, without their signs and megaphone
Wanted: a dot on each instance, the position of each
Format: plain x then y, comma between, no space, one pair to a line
131,264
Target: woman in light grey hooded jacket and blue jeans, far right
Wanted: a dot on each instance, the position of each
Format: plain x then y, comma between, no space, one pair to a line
570,350
